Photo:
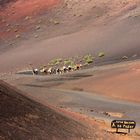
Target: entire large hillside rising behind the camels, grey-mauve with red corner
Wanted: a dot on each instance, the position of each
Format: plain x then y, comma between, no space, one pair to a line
39,30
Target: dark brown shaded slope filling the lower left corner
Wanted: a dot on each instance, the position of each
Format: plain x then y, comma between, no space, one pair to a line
22,118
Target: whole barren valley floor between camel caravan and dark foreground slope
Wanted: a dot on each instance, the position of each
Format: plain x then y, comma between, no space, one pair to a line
71,92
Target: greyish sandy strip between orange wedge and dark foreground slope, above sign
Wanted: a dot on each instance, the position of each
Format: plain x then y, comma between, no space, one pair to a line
90,104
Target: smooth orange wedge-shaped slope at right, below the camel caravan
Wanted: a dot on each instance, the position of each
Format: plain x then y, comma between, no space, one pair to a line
121,82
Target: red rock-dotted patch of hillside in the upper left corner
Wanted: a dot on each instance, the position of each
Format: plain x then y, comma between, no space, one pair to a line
15,14
